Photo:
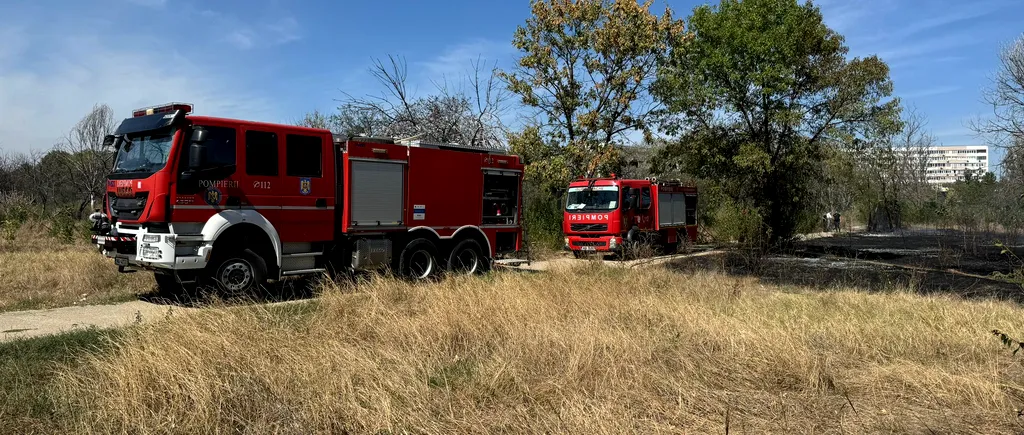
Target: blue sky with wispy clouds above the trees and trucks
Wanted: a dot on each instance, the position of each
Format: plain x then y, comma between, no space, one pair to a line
275,61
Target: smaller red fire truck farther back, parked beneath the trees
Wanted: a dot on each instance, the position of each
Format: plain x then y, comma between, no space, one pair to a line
607,215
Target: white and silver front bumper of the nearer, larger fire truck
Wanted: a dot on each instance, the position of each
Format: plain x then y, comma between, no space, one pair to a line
139,248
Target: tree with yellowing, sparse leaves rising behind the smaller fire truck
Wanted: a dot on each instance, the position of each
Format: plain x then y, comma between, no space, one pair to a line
585,69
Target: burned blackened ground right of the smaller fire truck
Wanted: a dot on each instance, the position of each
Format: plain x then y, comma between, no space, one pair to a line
923,262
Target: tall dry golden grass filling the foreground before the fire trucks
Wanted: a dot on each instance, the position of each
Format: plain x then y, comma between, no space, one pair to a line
589,350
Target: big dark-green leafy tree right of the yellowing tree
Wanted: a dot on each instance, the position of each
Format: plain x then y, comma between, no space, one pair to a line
755,96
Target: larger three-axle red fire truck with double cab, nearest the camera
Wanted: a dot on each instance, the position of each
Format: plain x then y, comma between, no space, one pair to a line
231,203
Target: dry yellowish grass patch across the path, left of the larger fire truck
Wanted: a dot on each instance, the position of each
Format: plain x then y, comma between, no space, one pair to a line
56,276
